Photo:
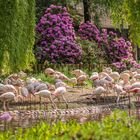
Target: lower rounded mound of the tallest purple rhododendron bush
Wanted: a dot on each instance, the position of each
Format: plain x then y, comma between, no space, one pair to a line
61,51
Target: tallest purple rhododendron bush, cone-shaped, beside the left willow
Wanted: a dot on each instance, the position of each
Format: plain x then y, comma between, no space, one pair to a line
56,37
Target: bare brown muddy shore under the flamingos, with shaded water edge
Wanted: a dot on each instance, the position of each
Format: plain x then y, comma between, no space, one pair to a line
76,97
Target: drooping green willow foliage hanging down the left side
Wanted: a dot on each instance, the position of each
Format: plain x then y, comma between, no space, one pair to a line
17,21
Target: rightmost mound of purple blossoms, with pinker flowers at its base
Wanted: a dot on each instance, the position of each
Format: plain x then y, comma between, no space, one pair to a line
120,52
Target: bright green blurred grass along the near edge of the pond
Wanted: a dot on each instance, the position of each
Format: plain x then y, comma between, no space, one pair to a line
118,126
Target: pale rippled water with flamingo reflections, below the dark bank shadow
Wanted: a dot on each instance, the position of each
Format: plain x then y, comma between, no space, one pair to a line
79,112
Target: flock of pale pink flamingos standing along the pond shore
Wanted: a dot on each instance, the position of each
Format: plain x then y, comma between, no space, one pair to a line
21,87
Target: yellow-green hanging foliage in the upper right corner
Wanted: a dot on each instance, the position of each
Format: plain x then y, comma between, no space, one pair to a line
126,12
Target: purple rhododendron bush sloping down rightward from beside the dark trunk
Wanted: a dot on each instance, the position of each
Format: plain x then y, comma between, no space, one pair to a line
118,51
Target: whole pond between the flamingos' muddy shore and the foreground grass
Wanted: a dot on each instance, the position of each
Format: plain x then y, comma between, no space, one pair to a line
29,114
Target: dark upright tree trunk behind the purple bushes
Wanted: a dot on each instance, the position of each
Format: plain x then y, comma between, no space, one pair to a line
87,12
